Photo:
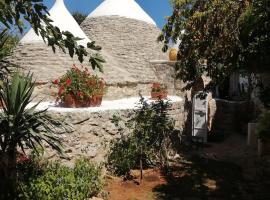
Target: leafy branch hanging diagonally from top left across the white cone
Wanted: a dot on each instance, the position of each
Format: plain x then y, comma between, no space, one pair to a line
35,13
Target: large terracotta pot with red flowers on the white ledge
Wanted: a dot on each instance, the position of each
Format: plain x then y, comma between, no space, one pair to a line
79,88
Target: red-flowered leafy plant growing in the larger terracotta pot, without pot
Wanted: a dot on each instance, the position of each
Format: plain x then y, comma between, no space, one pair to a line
79,83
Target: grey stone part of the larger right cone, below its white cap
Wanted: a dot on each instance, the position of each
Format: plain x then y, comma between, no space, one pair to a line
131,43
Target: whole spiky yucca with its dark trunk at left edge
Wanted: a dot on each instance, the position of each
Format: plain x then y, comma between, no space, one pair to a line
22,126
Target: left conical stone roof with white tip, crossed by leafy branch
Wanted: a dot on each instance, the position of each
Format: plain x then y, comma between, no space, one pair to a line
32,54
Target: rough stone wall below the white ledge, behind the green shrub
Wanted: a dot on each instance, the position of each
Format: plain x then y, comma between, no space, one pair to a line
92,132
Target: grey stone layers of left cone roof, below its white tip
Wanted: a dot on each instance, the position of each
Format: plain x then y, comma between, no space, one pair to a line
42,61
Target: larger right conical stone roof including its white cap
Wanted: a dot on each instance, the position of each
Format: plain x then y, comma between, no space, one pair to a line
127,33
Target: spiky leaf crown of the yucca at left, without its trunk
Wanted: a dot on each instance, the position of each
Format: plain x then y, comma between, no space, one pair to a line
22,126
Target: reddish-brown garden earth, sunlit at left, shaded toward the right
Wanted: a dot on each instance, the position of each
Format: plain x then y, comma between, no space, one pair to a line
221,171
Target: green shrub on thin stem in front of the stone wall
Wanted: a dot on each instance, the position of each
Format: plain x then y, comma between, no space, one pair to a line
148,140
